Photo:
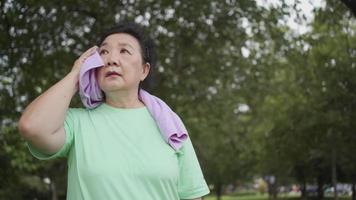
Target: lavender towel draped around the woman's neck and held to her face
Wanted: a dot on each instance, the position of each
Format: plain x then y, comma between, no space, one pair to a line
171,126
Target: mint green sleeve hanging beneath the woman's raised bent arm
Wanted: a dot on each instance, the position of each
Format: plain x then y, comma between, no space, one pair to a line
63,152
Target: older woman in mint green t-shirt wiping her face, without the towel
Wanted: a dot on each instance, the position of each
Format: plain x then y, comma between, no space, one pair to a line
114,151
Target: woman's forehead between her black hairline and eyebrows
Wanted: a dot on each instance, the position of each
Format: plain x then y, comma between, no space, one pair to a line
122,39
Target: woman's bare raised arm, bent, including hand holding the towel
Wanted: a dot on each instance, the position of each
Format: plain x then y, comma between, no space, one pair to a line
42,121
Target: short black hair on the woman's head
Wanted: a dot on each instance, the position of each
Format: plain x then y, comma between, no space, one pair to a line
146,43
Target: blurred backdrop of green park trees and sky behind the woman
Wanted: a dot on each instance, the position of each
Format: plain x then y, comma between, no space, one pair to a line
266,88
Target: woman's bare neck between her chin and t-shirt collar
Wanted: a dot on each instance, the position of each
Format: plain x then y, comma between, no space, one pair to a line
123,99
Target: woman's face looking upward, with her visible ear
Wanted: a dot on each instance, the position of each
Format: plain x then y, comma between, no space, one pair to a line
124,67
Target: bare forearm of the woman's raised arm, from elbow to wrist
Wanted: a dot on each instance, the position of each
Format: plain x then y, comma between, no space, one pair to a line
47,112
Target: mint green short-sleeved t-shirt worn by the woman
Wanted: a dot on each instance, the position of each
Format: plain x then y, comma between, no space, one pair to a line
118,153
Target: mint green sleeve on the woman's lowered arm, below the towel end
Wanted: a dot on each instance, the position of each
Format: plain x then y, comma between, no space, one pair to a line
191,183
